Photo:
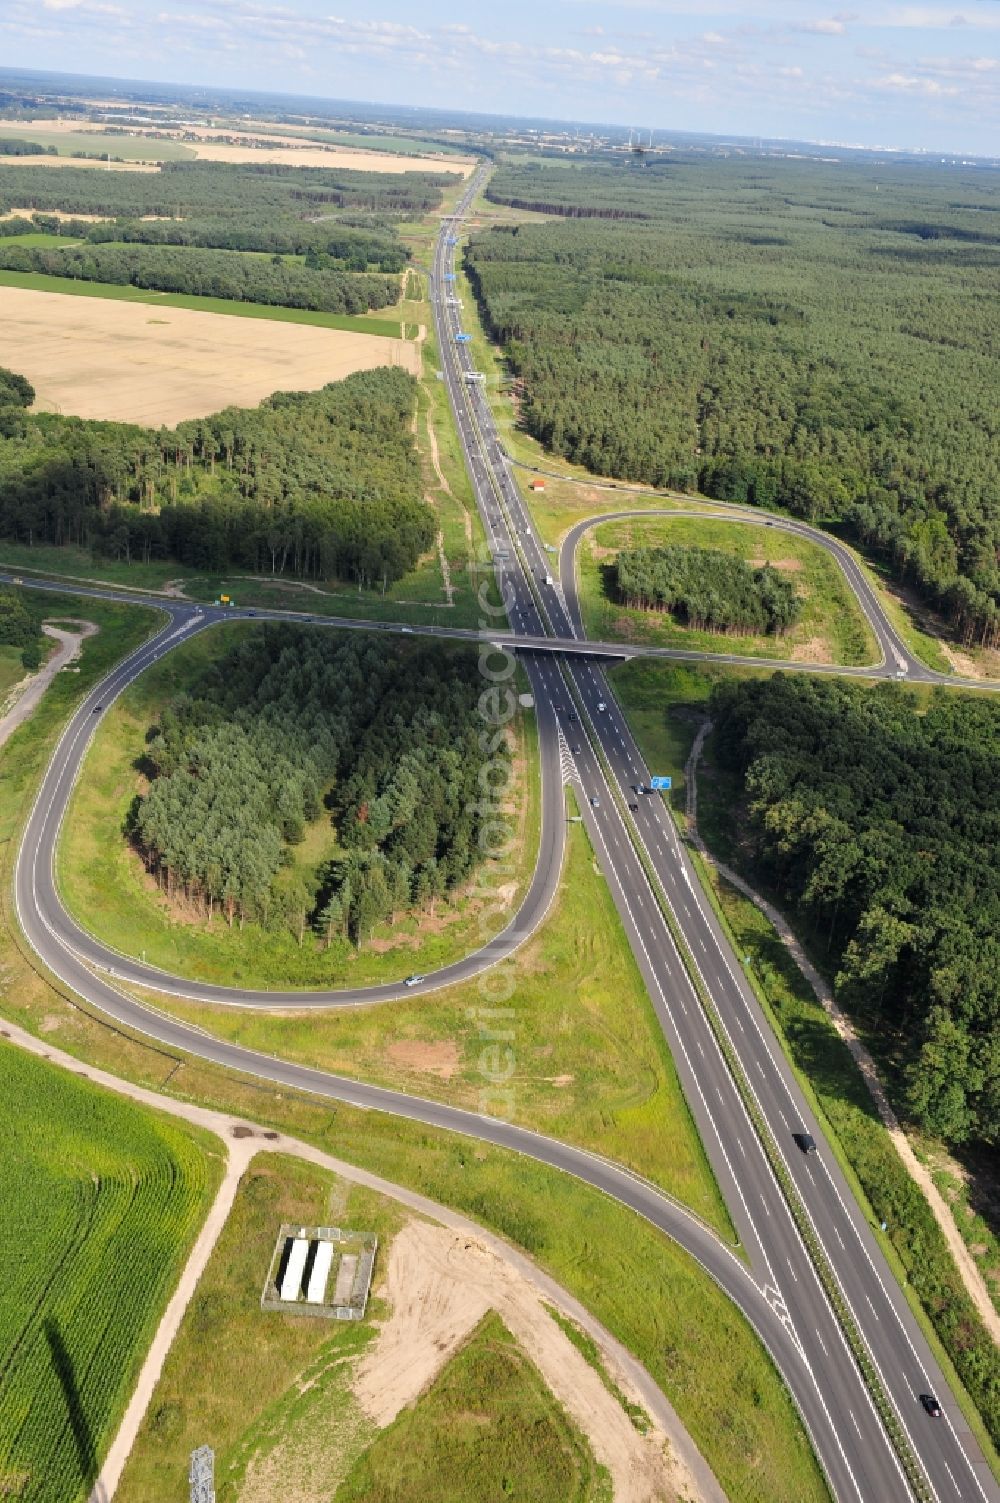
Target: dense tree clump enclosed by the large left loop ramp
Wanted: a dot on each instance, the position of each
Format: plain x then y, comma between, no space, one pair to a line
291,728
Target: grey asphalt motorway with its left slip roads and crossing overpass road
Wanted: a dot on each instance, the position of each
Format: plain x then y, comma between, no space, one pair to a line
778,1287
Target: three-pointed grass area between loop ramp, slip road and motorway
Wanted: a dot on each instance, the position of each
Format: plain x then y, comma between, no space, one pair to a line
586,1054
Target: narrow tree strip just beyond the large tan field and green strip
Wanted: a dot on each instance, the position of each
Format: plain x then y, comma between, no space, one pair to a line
210,274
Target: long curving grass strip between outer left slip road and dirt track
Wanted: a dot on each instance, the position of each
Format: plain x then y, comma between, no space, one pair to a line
641,1286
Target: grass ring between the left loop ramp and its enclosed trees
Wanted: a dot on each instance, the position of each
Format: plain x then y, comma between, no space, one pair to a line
109,892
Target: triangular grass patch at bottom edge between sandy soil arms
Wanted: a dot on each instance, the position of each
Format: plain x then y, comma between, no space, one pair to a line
486,1430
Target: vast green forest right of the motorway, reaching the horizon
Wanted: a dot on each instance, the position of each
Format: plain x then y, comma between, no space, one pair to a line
786,334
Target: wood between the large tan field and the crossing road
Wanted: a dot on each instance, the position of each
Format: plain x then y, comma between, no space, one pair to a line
311,485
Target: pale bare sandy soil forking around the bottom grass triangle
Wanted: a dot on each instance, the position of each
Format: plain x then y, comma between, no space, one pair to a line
440,1284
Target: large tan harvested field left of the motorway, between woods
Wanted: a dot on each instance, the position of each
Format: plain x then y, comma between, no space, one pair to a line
141,363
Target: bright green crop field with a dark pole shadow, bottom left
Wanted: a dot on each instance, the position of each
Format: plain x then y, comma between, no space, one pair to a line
102,1205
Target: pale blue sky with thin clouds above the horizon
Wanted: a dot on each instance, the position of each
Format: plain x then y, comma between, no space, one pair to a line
888,73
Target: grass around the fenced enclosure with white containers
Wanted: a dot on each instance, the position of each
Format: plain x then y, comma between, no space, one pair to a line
276,1396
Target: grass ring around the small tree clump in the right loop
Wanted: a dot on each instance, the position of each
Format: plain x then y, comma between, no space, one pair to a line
831,629
